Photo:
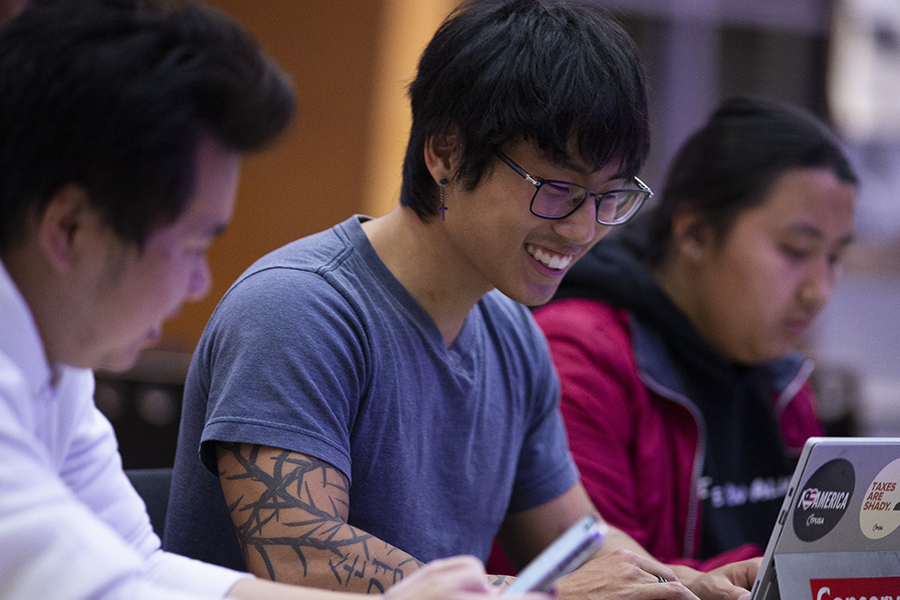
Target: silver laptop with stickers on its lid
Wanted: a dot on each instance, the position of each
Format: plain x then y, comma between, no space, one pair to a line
837,532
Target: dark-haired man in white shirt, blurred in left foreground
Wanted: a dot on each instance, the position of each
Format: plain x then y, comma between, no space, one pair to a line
122,123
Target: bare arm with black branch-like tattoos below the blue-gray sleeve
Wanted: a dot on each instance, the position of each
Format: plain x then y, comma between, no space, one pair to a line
290,511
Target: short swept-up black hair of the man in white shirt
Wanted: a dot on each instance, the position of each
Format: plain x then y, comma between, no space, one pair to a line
115,95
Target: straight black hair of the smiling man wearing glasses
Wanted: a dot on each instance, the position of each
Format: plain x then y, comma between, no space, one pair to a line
549,71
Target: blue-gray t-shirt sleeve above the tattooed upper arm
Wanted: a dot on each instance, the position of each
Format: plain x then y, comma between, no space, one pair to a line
285,359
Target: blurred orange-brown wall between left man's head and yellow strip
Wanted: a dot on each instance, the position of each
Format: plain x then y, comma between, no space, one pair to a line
314,177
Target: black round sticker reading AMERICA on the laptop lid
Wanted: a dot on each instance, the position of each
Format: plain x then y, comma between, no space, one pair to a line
824,499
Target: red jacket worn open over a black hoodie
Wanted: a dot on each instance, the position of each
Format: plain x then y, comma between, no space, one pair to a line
638,444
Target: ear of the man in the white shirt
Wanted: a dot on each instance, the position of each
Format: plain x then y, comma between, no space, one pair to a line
60,226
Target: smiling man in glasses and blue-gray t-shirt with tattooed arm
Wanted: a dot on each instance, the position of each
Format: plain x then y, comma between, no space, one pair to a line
378,395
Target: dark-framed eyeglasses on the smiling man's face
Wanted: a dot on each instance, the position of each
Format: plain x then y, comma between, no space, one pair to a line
558,199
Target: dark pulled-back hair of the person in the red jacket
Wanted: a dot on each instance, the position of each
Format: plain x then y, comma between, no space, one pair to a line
729,166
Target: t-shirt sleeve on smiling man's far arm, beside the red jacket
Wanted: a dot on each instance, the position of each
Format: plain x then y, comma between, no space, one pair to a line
546,469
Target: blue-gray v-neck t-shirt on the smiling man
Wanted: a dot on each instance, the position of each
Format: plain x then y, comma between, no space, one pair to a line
318,349
